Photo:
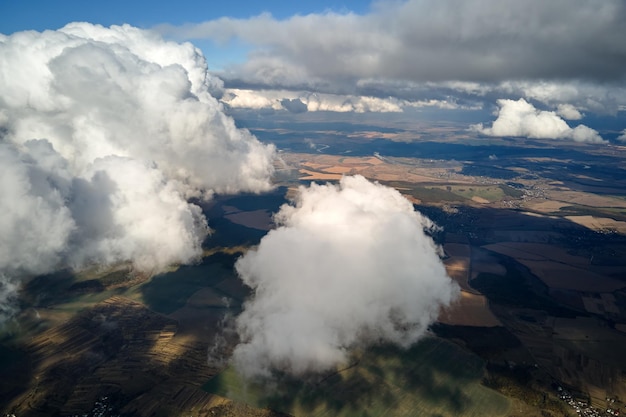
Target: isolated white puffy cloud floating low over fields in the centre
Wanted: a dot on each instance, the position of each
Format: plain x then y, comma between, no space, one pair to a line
350,264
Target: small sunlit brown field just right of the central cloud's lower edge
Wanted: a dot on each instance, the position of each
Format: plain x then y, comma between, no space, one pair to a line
469,310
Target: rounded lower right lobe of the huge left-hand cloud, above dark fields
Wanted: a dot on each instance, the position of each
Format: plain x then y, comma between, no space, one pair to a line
110,209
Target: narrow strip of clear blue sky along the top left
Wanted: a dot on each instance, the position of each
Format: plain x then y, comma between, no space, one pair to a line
17,15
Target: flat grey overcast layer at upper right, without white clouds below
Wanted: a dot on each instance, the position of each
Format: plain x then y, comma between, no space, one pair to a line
429,40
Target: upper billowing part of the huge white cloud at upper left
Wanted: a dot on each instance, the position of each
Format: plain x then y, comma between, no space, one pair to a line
139,105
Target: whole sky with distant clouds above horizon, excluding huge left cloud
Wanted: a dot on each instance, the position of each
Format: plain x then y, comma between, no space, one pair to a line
565,58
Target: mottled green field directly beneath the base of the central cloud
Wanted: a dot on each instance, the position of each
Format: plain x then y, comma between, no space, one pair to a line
434,378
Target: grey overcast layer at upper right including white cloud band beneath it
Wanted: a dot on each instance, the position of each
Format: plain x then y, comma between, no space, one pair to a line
556,52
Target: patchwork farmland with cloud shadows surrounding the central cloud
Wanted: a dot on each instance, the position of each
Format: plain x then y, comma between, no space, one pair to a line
539,254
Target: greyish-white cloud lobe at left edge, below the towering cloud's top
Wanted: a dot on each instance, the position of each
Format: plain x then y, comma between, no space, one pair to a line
36,223
